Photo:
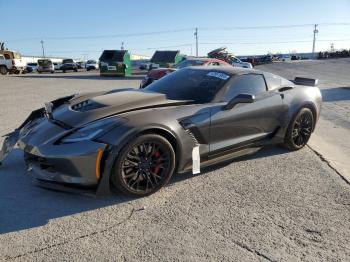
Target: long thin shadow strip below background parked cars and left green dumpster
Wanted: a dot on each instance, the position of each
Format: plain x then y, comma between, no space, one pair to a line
77,76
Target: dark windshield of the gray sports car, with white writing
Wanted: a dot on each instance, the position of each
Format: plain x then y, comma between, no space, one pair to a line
201,86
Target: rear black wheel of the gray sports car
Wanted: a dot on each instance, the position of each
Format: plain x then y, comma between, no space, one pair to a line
299,129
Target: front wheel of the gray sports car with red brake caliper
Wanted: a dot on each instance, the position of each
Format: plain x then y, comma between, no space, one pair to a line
144,166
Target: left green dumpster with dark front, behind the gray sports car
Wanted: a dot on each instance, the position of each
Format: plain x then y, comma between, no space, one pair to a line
115,63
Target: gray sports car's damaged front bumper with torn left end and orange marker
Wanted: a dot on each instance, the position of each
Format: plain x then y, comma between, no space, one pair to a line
72,167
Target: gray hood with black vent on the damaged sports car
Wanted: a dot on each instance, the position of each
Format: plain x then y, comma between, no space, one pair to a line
87,108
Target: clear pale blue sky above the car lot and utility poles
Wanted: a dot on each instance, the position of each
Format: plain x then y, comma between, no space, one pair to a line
82,28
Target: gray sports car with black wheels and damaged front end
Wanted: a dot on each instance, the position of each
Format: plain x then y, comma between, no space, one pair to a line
135,140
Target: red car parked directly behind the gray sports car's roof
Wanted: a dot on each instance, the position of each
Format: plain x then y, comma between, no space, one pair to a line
158,73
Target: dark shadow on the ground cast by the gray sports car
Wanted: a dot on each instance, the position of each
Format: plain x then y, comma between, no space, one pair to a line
24,205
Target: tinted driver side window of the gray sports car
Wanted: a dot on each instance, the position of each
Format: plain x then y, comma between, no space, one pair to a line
252,84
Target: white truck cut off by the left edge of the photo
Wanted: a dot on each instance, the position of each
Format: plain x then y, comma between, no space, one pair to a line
11,62
